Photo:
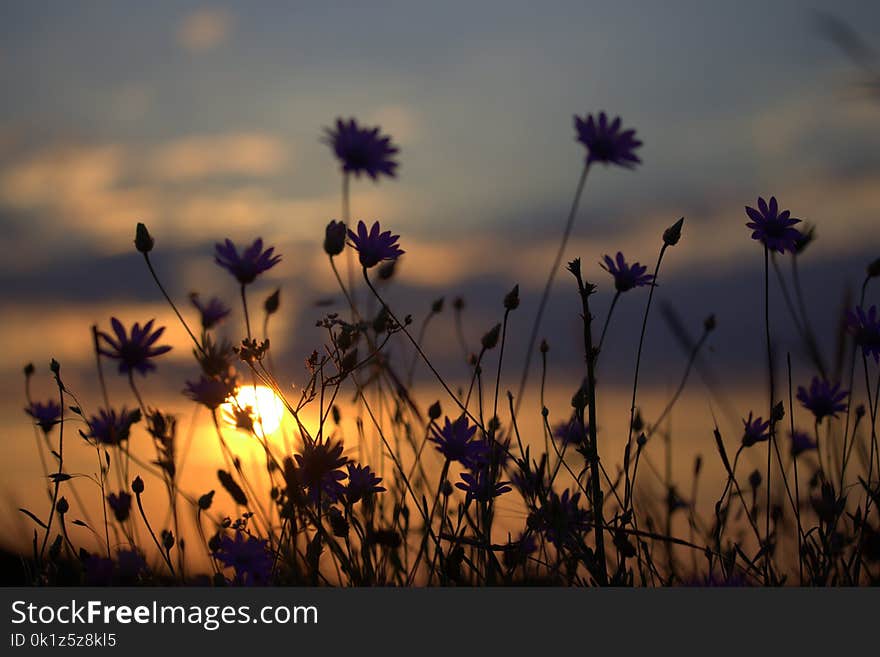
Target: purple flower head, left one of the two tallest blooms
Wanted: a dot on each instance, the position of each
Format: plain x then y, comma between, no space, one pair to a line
362,150
